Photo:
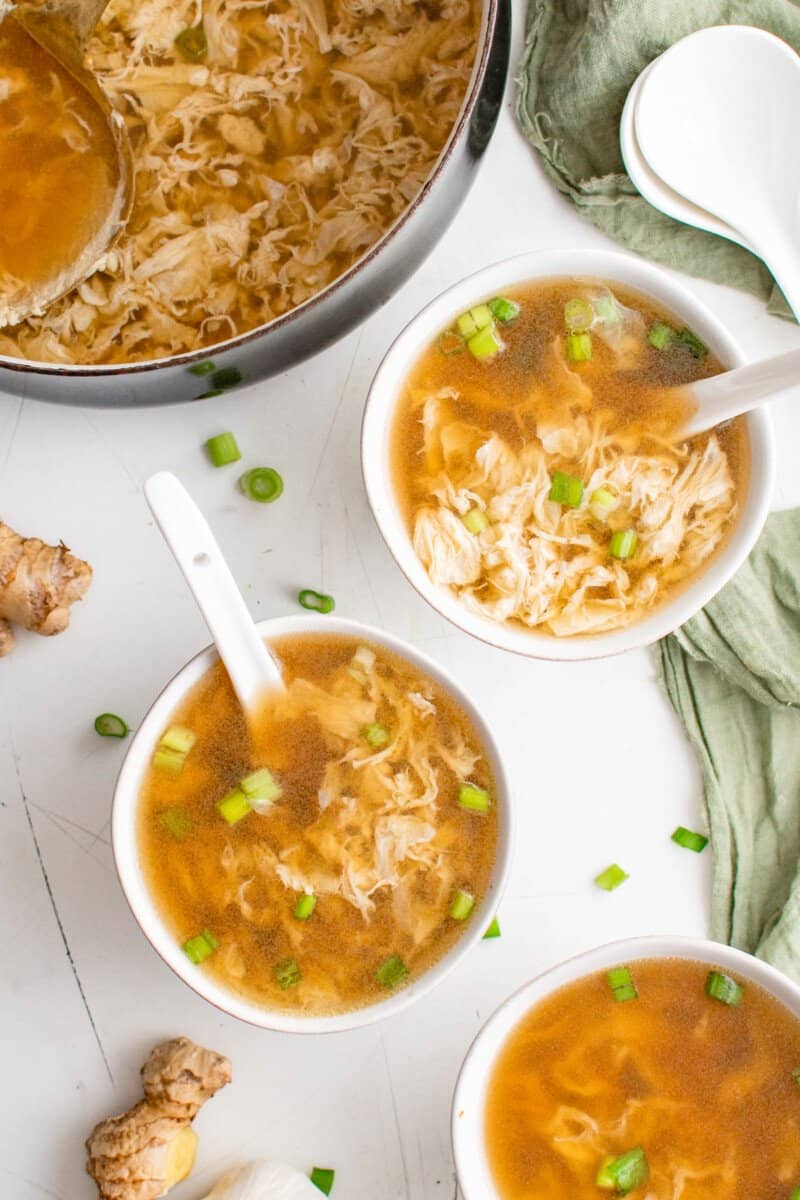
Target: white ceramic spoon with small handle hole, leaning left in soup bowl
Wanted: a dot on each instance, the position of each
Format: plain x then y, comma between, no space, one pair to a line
252,670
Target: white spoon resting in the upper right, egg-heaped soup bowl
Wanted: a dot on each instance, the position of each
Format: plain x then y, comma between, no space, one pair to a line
738,392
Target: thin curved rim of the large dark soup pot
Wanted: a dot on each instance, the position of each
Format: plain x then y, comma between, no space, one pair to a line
490,17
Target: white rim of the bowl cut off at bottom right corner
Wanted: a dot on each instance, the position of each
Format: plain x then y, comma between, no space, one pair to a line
468,1107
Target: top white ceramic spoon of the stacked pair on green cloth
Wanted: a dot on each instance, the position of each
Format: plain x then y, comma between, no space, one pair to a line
717,121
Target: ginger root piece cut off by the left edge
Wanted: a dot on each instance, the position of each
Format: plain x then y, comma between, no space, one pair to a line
38,585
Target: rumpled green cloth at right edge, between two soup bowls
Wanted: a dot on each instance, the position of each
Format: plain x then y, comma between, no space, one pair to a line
733,676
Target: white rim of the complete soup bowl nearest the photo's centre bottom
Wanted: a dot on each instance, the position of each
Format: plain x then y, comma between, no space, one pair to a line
142,904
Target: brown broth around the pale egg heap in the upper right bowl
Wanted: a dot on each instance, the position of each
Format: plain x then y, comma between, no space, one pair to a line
512,394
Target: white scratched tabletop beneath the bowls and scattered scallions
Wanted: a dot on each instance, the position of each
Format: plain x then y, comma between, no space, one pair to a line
82,995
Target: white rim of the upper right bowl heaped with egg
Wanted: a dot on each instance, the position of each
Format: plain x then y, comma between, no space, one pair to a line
382,405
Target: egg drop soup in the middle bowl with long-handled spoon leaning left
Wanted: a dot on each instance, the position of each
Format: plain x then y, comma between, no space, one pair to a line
377,836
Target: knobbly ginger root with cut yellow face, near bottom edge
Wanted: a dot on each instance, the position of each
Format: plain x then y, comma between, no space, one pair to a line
143,1154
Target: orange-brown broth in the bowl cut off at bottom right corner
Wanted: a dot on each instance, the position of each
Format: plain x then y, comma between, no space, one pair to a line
705,1088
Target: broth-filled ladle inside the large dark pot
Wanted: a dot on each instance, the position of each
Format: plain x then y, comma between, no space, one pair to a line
67,165
